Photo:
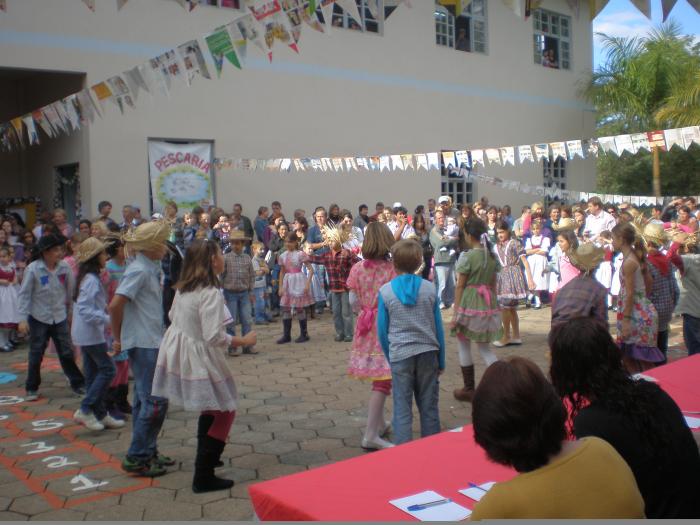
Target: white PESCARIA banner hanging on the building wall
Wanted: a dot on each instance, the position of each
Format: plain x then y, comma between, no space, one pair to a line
180,173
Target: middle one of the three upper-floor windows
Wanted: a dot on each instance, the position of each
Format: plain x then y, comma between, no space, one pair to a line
461,28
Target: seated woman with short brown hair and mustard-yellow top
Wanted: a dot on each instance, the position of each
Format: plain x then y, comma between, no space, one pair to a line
519,422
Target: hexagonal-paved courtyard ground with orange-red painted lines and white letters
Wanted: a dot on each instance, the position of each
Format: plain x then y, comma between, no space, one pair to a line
298,410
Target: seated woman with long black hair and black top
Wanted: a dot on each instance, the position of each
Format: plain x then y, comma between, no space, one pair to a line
640,420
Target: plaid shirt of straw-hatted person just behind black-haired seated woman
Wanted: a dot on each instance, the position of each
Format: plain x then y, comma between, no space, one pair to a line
583,296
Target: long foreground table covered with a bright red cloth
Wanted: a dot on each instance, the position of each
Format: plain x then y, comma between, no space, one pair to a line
359,489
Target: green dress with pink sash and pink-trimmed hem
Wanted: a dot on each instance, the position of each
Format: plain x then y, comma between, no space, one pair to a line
478,317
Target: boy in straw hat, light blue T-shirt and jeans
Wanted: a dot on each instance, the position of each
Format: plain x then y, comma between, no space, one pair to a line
136,312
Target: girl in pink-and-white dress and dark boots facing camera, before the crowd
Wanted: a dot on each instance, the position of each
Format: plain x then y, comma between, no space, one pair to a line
295,291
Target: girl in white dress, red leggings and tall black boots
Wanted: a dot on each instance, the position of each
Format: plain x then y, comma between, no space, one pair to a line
191,371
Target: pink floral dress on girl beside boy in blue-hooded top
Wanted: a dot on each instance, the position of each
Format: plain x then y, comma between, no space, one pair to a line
367,360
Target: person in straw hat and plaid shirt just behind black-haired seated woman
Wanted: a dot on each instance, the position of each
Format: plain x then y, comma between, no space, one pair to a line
582,296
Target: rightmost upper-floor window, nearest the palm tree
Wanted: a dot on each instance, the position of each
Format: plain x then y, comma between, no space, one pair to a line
552,39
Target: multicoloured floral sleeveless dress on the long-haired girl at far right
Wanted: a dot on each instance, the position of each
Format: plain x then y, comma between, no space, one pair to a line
640,346
